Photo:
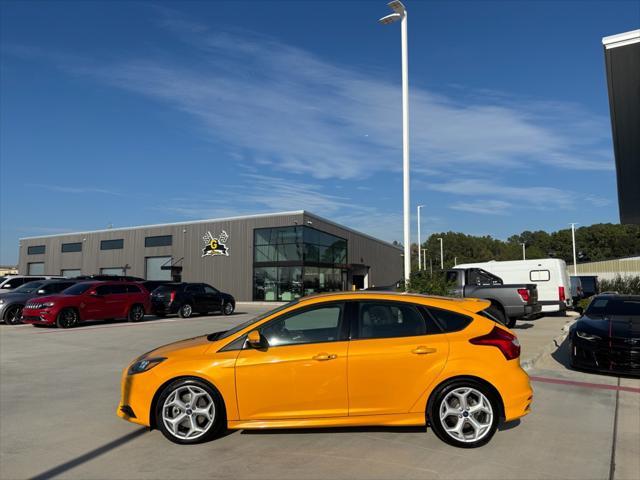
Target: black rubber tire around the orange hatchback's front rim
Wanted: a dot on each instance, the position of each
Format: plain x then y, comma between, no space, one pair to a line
214,427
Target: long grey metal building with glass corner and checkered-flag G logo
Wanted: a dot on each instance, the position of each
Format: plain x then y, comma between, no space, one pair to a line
267,257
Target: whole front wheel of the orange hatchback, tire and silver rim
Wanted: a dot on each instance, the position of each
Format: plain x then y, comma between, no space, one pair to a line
190,411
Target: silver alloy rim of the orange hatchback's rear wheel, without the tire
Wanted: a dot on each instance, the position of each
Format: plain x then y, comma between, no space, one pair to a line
466,414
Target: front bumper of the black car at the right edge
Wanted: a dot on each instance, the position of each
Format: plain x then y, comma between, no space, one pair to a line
603,357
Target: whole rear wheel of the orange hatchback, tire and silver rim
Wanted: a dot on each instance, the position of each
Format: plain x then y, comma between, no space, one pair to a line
464,414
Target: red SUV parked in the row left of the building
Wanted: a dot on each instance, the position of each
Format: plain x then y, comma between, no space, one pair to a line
89,301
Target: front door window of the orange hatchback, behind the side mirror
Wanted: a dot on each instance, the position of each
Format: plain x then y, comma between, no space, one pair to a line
315,325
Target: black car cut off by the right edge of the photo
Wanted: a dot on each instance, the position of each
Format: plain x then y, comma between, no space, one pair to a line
607,337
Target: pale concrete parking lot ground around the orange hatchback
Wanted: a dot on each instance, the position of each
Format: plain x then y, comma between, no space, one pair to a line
59,390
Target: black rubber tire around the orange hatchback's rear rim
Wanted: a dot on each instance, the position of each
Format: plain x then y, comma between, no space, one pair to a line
435,405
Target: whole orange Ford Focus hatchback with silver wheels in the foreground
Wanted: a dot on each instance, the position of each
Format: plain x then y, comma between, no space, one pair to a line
332,360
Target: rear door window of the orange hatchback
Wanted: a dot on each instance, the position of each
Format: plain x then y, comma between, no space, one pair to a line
388,320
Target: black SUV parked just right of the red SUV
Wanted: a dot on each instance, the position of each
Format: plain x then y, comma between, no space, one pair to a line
186,298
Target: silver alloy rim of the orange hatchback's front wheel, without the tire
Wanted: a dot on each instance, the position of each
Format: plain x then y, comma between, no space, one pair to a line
188,412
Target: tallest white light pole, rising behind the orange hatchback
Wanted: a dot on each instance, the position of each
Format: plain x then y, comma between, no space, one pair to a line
400,13
